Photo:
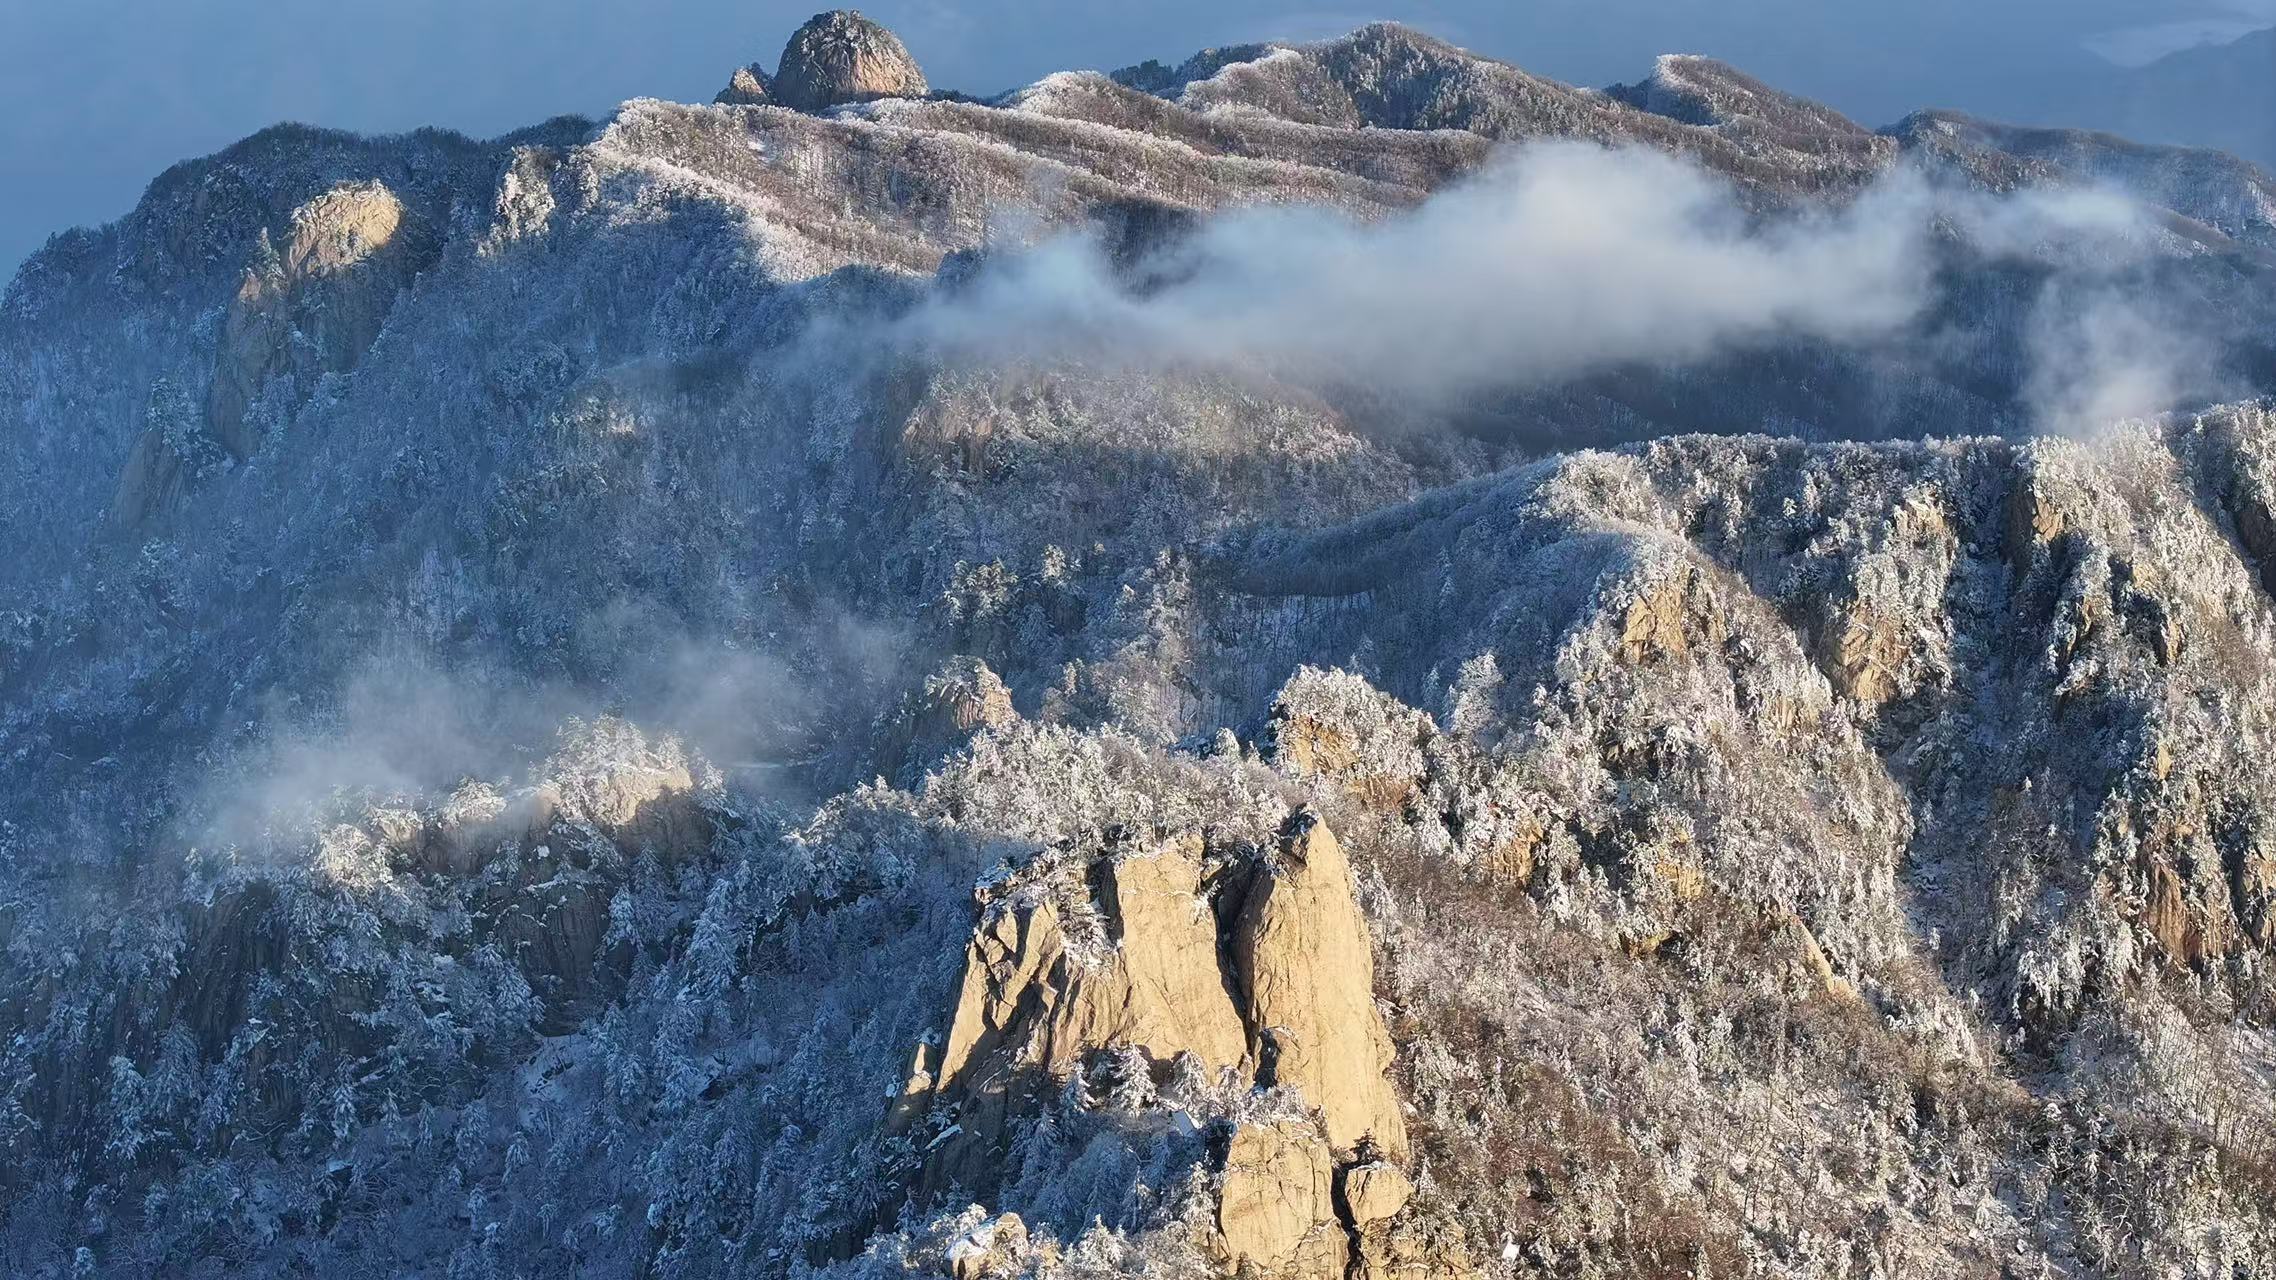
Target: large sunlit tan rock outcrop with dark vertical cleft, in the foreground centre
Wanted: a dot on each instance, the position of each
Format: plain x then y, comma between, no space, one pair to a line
1251,971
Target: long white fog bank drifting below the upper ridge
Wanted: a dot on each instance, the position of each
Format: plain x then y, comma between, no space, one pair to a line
1556,263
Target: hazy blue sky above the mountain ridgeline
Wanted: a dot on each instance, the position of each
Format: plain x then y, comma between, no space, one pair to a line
97,97
